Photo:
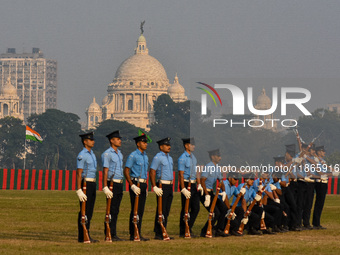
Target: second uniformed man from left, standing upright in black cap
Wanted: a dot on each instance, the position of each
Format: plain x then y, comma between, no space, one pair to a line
112,161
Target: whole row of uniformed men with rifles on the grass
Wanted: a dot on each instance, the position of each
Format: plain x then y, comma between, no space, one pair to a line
275,202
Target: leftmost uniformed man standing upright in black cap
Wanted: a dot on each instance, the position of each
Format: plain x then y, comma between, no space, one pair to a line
86,172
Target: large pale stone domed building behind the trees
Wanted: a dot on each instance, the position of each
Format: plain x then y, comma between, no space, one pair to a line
137,83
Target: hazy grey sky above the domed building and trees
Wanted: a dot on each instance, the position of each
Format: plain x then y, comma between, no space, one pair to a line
264,43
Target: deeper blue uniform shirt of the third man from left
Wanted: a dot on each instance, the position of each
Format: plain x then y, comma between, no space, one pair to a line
138,162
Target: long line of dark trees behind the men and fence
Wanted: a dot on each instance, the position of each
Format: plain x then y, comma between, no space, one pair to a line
61,145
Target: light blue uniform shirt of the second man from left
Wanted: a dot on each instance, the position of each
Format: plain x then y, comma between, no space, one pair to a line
113,160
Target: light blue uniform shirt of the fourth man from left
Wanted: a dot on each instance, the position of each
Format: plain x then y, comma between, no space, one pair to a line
163,164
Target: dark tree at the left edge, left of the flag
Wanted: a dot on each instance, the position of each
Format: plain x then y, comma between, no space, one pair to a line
12,140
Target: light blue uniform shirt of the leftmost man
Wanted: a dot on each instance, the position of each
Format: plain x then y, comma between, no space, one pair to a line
86,160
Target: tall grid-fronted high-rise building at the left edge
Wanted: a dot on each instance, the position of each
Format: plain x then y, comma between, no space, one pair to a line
34,77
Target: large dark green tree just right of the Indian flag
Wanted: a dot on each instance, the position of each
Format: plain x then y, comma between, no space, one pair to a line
60,131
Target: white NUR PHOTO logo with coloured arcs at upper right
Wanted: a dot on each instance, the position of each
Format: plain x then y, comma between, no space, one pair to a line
238,107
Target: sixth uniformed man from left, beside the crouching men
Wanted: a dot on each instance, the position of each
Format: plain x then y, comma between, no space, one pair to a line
209,176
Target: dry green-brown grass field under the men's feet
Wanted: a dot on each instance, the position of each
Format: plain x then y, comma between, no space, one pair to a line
44,222
